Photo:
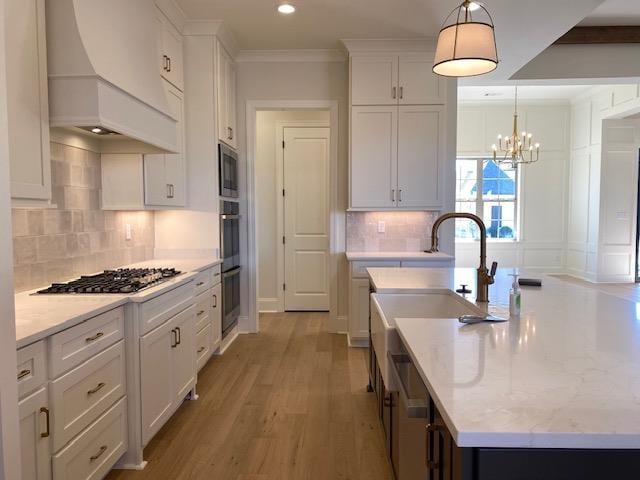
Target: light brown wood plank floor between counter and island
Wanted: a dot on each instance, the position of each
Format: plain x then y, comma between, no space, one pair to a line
287,403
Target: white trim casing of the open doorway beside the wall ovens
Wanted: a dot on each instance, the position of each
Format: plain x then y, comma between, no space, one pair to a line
253,106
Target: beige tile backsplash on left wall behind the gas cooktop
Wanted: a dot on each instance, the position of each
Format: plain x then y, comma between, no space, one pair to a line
76,237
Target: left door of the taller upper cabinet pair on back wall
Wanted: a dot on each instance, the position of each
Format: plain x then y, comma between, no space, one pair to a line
374,153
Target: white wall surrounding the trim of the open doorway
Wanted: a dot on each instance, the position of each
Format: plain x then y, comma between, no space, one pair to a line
278,80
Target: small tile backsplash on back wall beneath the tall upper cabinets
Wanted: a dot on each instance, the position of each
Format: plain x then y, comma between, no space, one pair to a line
404,231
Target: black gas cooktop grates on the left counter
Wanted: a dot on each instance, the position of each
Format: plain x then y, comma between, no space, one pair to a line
123,280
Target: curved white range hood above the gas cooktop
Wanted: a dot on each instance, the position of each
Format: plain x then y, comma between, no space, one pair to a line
103,70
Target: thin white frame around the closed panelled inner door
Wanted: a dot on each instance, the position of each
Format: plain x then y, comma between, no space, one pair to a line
280,254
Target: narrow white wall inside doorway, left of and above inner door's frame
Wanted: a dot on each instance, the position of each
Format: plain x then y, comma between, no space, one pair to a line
268,199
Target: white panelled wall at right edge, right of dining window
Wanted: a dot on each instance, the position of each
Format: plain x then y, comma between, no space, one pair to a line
602,184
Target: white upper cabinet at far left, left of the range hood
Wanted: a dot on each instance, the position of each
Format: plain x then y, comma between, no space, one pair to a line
27,101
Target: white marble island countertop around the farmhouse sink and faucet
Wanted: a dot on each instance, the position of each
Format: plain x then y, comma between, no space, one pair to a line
565,374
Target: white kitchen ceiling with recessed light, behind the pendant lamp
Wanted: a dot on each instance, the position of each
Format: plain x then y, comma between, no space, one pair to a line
524,28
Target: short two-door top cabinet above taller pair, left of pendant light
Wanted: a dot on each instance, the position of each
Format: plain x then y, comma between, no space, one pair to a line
405,79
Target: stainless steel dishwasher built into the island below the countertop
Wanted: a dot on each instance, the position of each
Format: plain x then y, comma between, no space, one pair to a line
410,415
